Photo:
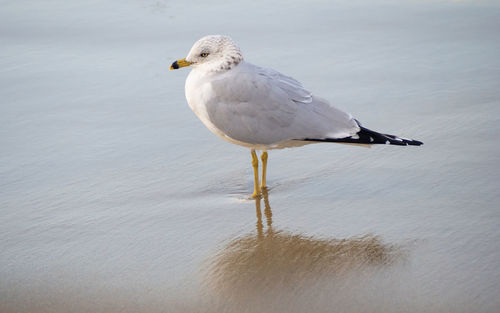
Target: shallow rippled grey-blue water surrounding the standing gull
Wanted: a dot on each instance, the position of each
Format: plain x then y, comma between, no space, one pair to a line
115,198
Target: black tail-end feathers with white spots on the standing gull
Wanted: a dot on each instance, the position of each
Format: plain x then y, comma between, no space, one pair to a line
369,137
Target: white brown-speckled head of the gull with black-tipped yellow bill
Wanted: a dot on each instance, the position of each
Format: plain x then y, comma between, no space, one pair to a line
212,53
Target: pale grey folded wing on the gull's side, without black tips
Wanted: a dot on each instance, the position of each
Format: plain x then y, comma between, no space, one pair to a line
262,106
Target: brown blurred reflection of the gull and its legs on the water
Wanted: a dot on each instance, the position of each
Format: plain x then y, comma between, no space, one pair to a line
273,258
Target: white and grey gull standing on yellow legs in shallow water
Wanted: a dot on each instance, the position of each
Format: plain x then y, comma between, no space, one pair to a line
262,109
